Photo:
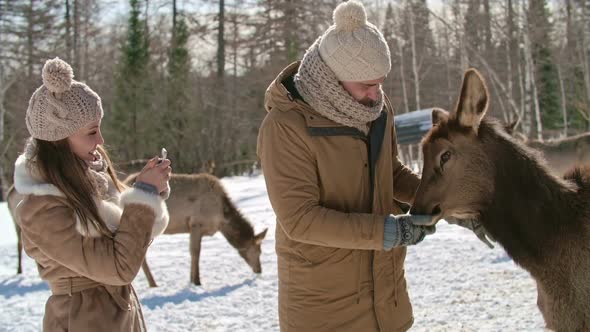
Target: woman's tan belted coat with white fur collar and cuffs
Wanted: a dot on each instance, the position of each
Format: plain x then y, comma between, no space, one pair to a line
90,275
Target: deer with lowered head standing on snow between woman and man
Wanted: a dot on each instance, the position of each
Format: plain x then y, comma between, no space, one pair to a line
199,205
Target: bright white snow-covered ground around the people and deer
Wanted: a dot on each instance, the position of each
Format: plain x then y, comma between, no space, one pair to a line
455,282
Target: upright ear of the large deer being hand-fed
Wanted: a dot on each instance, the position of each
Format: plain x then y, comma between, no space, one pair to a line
473,101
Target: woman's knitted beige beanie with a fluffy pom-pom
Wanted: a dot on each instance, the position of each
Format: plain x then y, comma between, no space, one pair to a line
61,106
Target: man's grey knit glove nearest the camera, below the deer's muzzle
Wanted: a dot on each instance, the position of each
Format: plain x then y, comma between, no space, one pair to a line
405,230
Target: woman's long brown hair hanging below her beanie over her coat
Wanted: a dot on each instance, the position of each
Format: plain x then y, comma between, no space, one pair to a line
58,165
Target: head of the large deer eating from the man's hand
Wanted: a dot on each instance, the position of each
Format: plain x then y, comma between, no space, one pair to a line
456,173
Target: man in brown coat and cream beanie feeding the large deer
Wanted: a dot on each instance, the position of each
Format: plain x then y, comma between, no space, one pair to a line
328,153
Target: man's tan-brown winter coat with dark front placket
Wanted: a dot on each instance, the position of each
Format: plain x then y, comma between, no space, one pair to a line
333,273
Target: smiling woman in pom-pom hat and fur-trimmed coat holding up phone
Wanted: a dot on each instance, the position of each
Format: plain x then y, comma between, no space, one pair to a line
87,235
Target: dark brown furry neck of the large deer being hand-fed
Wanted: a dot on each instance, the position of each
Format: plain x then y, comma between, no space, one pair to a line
530,208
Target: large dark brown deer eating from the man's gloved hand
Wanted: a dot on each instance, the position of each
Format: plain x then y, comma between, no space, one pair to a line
474,170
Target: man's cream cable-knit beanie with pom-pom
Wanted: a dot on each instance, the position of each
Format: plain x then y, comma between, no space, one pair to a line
353,48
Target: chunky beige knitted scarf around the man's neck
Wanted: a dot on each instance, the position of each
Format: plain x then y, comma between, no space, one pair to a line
319,87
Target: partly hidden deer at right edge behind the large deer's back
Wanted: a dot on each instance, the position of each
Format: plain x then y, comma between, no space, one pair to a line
562,153
